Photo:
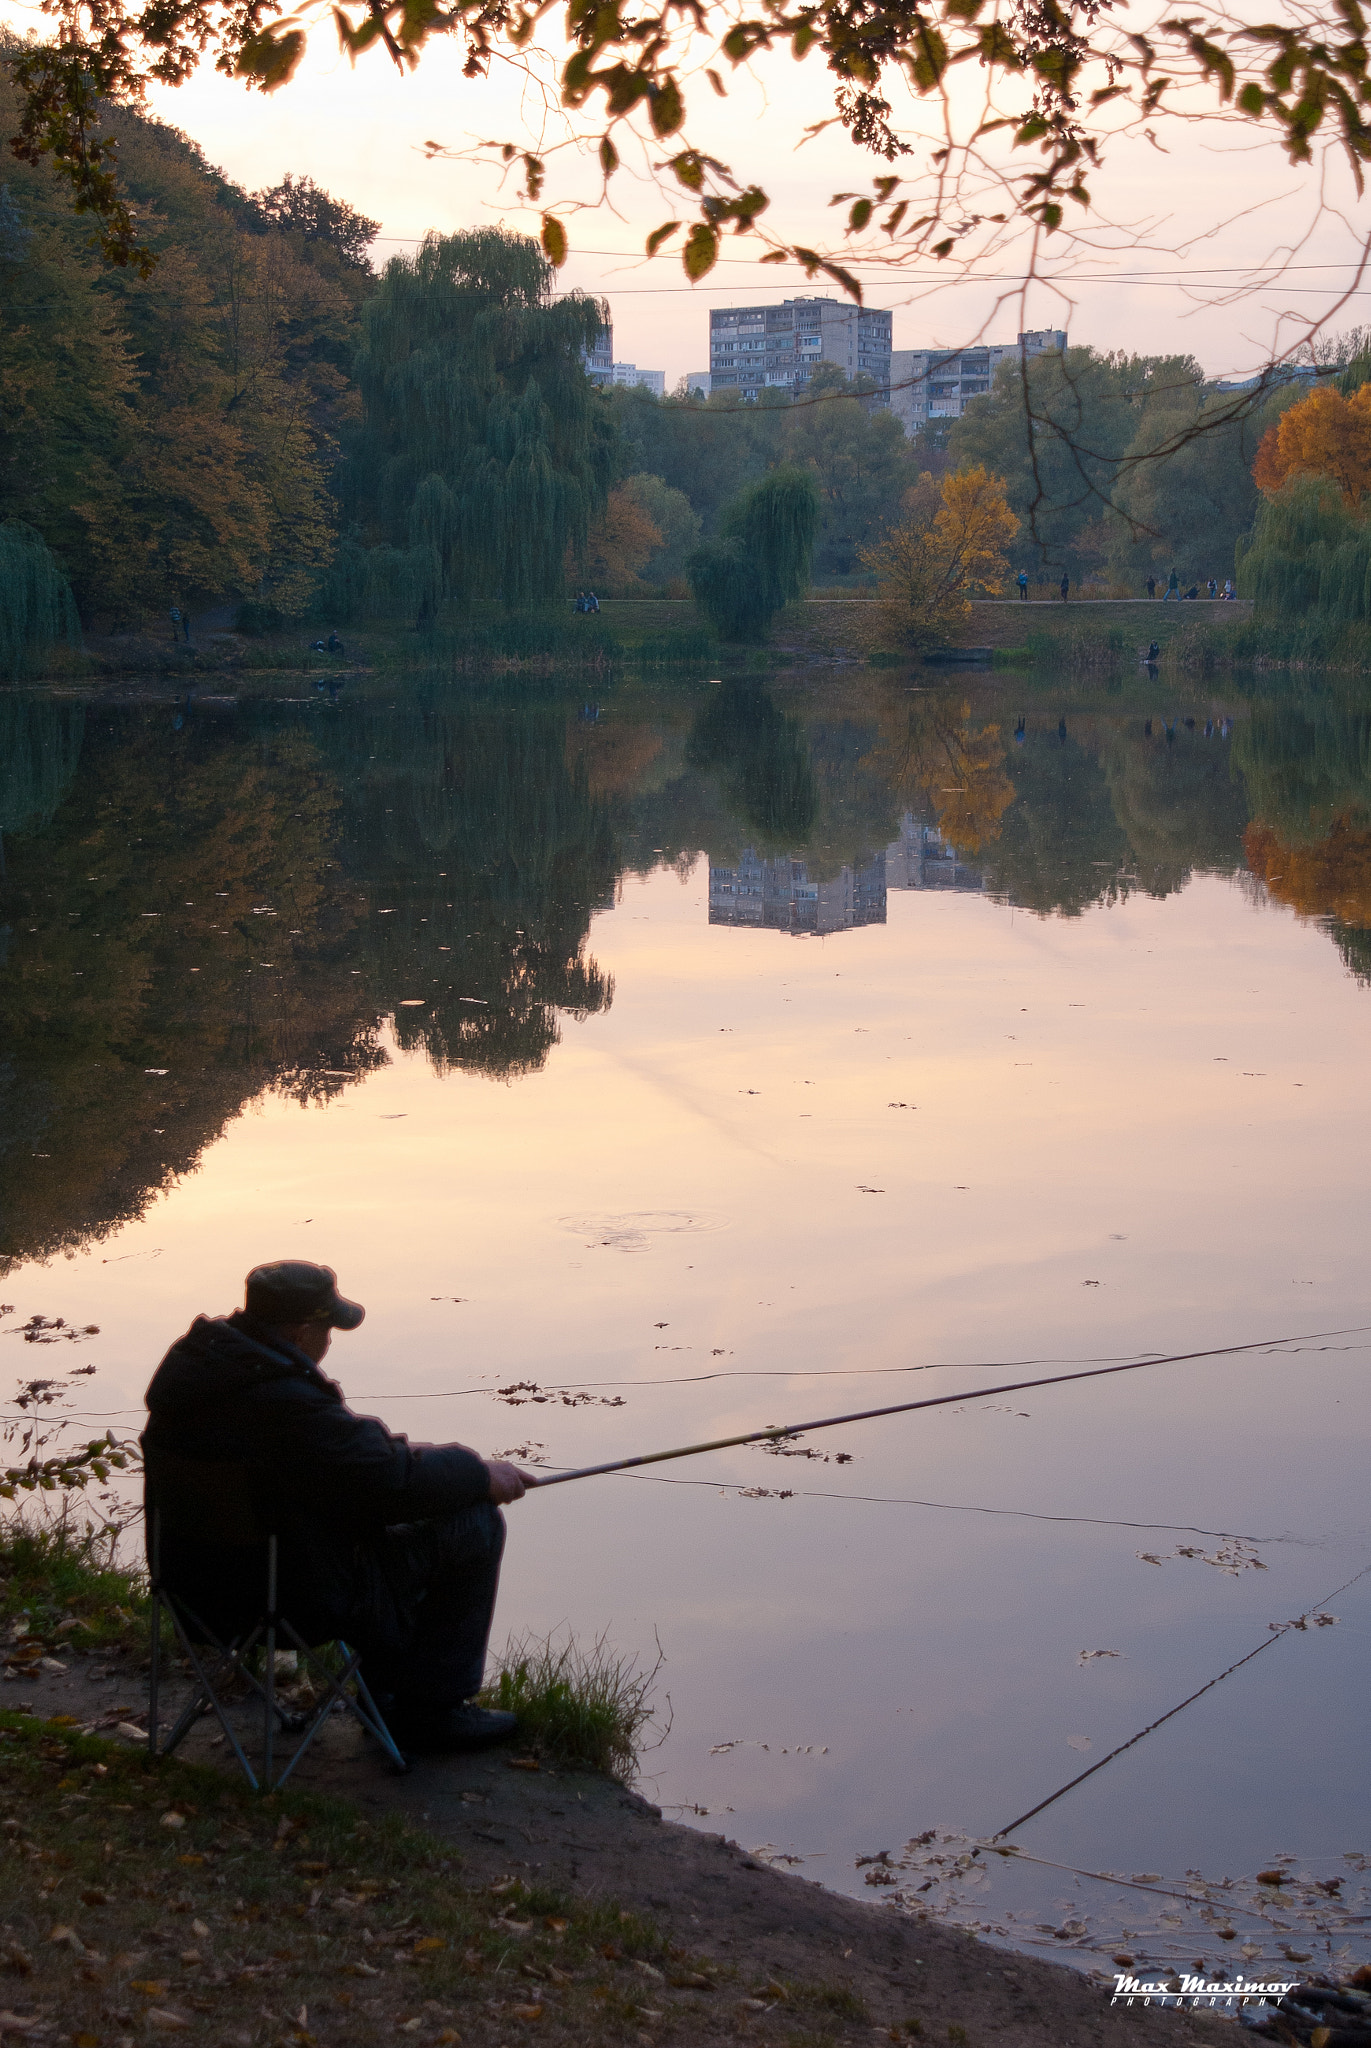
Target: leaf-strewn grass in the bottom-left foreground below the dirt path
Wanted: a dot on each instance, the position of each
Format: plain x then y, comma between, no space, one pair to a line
169,1900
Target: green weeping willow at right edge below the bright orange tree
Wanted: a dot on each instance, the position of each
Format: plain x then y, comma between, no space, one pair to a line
1311,558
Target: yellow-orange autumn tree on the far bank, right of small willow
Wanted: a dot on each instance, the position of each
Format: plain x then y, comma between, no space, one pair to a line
948,548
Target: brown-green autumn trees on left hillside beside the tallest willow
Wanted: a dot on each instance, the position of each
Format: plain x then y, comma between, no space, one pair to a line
171,437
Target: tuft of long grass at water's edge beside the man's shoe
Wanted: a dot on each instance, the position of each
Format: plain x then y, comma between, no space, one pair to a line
583,1709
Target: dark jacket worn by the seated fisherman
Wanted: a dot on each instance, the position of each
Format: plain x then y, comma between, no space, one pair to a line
249,1439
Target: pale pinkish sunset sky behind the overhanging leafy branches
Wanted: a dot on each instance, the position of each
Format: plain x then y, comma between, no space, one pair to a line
1186,218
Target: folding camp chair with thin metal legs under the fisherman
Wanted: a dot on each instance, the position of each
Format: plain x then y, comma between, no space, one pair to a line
226,1660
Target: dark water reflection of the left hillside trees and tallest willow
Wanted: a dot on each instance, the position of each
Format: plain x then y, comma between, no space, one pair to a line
208,900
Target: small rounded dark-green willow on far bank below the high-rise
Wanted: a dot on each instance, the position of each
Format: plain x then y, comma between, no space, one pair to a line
761,558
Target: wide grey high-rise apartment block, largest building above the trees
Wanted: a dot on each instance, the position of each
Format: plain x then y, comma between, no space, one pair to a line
759,349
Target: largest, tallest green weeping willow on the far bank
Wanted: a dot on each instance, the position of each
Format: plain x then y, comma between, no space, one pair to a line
487,450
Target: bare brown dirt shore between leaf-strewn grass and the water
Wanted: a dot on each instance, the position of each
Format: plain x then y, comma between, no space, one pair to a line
708,1895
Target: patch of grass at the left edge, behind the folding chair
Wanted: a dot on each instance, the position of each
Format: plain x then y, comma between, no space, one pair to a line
60,1574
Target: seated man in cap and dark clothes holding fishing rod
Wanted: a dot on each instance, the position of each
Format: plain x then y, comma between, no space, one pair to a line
388,1545
